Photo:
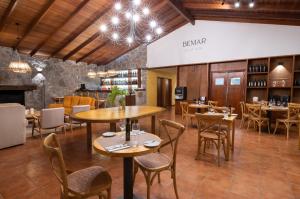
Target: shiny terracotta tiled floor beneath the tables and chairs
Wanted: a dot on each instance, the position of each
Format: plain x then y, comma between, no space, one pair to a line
265,166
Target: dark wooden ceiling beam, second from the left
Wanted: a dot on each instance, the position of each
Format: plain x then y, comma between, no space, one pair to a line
35,22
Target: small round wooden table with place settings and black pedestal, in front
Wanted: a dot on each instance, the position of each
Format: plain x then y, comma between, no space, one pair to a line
127,154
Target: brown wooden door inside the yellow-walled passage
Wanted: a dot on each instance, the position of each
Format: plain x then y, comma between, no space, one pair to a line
164,92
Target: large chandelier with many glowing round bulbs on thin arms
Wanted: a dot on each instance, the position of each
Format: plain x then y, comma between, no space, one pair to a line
131,22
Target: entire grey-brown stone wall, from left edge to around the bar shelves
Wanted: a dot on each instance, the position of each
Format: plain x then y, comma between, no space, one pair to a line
64,77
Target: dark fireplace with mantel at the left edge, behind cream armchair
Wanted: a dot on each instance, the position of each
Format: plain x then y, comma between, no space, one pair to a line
14,93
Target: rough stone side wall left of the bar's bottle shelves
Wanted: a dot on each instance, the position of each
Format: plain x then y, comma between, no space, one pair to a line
61,78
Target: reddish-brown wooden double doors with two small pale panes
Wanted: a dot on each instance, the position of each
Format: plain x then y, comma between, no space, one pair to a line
228,88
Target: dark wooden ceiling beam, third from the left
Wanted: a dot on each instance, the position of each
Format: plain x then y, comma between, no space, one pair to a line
75,12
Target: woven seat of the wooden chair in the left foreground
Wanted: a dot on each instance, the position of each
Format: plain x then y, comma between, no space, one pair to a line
91,180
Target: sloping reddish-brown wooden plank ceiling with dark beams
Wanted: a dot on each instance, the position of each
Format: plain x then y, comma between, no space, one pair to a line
69,29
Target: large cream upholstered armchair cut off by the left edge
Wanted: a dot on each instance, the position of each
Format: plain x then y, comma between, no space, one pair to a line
13,125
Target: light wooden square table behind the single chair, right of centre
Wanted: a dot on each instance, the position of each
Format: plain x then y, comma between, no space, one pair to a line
230,121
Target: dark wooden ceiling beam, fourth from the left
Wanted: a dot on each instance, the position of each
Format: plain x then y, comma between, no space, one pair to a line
82,28
